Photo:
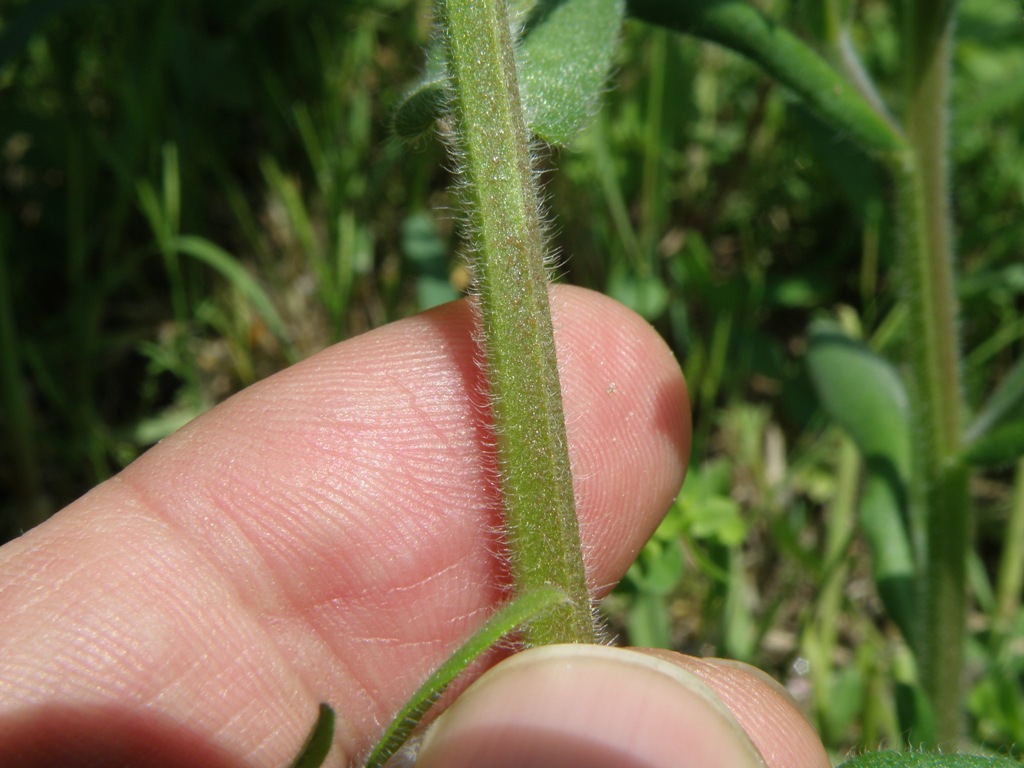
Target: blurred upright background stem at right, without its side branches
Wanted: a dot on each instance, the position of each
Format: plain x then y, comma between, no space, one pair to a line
942,479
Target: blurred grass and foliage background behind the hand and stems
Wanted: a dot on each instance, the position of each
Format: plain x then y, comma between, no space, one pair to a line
194,195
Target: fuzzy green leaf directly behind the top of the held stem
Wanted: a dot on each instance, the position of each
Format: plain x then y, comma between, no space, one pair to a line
565,60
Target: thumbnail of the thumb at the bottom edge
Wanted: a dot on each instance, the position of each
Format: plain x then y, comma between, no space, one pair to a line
589,706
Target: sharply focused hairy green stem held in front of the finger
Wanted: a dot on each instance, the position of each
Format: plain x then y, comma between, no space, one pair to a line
519,339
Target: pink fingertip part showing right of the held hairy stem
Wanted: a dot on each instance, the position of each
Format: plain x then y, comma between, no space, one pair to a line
628,417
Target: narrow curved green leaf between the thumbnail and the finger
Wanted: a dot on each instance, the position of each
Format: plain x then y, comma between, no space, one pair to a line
521,612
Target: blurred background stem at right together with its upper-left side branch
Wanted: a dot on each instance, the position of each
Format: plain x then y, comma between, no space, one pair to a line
916,158
